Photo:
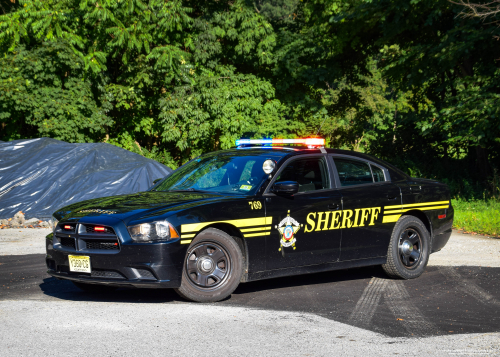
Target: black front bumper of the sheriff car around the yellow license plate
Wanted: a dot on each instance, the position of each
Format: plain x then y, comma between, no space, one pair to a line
141,265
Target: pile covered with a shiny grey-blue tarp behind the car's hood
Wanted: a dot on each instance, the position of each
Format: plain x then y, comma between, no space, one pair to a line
41,175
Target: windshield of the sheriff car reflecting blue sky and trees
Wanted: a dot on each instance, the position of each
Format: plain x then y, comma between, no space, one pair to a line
218,173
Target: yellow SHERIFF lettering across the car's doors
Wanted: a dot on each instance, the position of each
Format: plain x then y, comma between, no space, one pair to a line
359,217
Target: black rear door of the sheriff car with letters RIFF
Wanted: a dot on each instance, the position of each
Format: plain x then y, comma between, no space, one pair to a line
367,194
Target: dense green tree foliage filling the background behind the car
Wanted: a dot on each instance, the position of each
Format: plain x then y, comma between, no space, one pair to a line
411,81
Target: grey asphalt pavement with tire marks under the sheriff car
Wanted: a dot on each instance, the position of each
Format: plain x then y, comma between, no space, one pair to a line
449,310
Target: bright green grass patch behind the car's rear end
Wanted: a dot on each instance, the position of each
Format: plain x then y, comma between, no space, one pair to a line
477,216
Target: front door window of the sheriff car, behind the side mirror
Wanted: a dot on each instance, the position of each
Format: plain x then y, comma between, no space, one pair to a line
310,173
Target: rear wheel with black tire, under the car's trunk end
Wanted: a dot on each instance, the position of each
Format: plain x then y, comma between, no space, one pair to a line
409,249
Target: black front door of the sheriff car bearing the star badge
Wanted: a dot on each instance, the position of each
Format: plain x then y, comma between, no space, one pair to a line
300,233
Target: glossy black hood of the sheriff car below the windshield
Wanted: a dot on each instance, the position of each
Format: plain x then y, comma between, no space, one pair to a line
132,207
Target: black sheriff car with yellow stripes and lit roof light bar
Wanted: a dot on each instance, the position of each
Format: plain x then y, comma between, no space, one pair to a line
266,208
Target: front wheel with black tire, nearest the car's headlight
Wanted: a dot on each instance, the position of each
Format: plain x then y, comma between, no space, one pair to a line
213,267
